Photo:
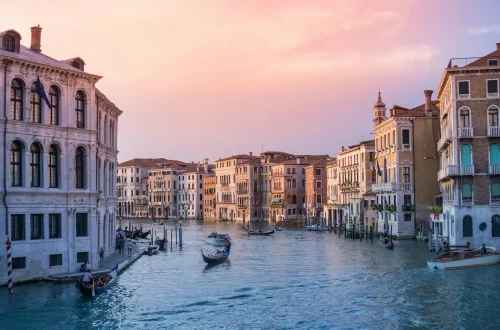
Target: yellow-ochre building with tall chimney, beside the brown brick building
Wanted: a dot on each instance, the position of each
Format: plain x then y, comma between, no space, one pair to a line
406,162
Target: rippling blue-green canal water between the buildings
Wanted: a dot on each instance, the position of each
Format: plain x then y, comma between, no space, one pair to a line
292,280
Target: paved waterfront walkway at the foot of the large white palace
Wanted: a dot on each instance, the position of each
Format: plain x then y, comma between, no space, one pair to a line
122,259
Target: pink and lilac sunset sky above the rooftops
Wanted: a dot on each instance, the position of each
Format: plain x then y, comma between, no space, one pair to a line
210,78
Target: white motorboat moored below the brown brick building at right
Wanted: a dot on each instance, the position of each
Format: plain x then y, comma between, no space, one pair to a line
464,259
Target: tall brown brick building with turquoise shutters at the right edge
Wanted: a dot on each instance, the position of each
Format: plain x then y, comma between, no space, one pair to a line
469,150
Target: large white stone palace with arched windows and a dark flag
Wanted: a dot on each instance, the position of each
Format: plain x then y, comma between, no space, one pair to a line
58,184
